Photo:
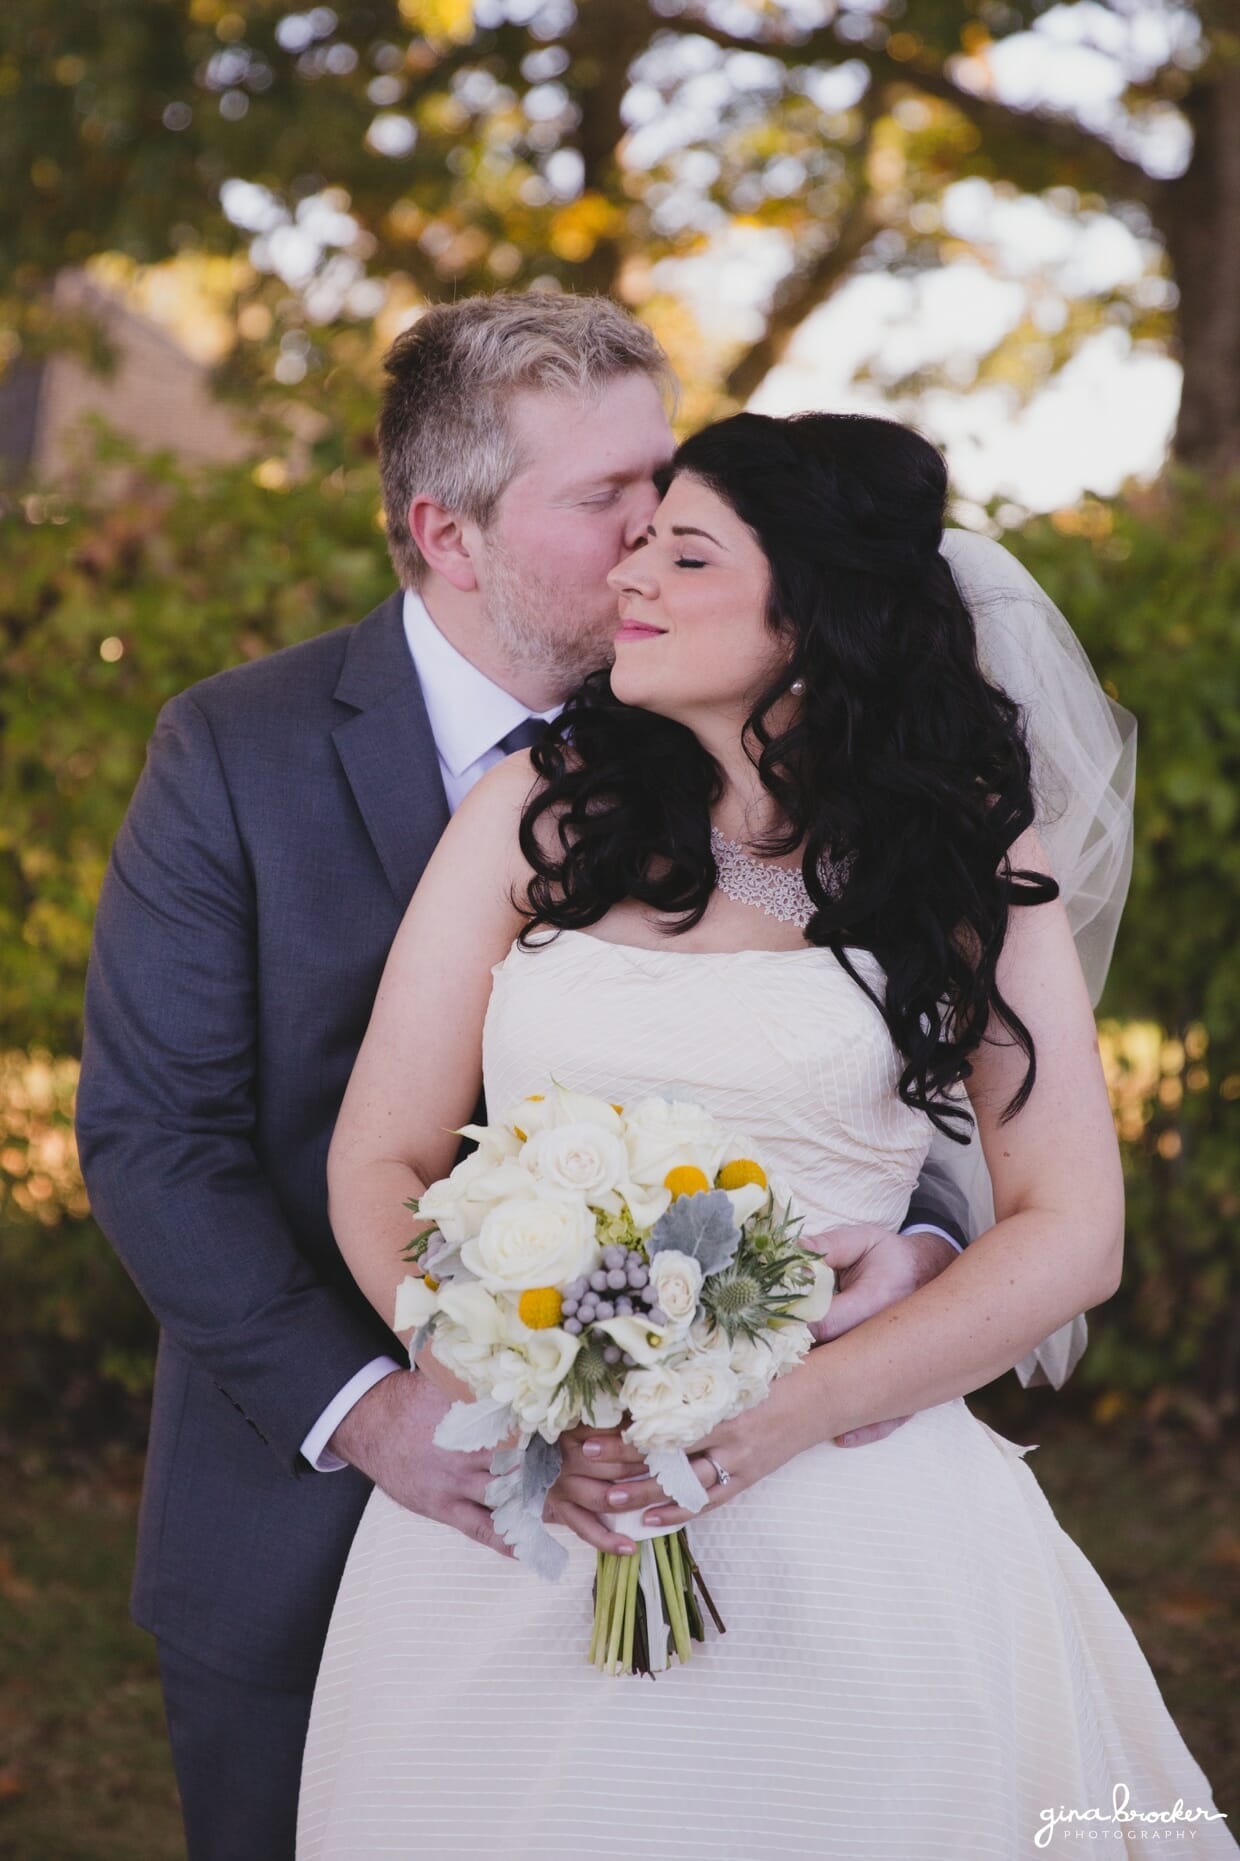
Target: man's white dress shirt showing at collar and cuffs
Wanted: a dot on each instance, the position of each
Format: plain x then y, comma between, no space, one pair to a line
468,717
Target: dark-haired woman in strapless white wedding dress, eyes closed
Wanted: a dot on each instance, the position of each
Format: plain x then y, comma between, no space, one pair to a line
790,863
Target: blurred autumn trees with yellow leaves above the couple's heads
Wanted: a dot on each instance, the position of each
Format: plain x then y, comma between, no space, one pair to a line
411,150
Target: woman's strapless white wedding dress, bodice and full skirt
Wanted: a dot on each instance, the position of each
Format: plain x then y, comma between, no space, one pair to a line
919,1663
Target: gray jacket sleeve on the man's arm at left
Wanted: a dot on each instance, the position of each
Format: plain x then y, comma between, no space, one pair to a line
168,1105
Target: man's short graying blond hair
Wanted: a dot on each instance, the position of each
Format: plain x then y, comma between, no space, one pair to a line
444,427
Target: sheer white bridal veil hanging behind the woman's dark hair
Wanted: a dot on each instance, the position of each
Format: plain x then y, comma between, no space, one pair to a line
1085,760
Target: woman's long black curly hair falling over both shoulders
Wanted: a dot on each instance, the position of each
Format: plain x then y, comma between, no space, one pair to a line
906,773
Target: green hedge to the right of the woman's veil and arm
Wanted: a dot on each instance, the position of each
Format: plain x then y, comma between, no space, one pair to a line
1155,598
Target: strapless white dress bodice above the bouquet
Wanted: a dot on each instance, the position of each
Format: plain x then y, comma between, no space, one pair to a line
783,1047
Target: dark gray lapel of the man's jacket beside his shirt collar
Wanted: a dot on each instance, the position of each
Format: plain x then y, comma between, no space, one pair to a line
388,751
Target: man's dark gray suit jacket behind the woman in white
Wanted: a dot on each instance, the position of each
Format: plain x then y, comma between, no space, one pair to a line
280,827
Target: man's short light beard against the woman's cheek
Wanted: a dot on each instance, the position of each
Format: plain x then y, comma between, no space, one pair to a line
543,628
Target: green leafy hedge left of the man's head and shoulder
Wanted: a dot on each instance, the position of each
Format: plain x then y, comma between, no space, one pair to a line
116,600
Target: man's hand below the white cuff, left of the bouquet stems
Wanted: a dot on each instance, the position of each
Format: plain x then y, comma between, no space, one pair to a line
388,1436
